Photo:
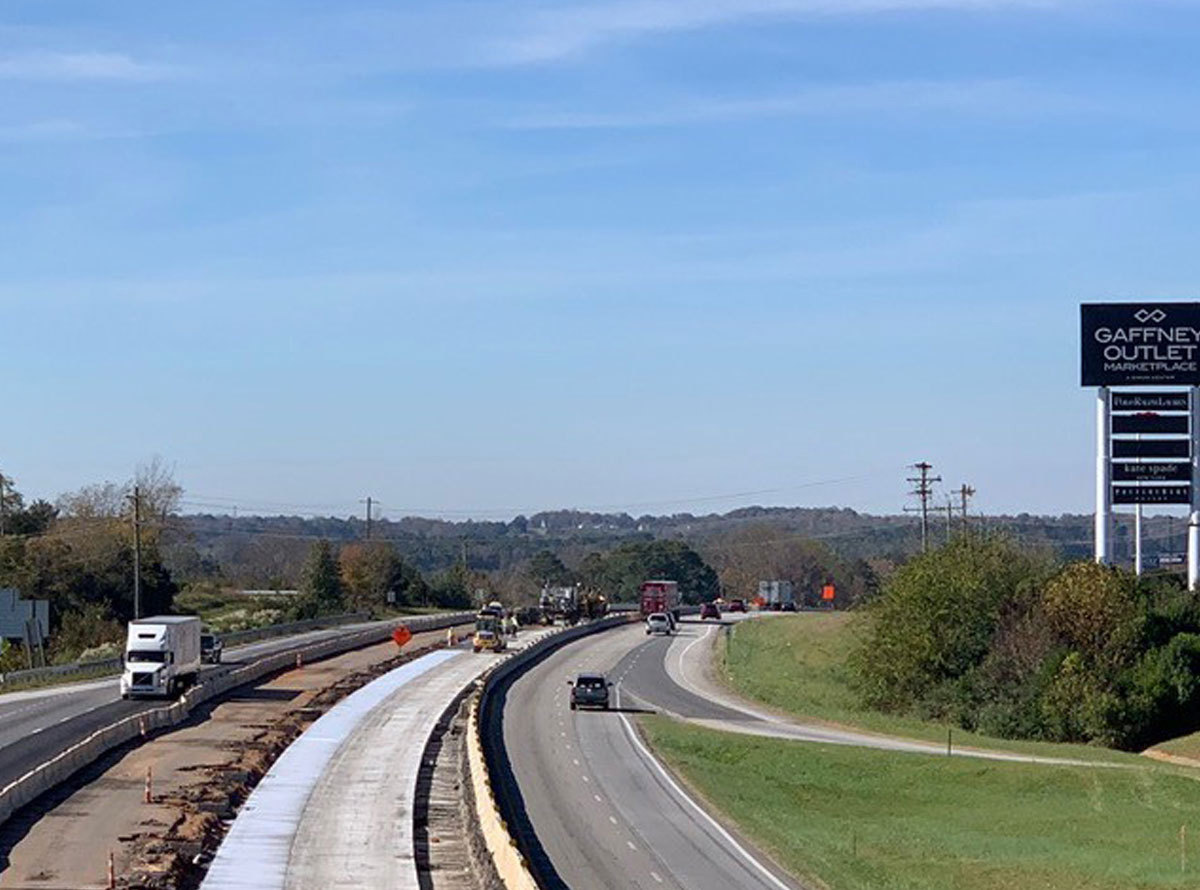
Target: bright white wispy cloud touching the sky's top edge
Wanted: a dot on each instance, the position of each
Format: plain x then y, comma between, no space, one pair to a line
569,31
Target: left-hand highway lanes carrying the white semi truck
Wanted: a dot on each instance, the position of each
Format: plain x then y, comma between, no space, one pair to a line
39,723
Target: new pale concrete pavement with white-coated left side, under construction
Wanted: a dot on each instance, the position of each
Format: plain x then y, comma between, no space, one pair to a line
338,809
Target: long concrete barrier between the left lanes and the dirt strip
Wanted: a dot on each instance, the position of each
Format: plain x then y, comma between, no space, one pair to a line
67,763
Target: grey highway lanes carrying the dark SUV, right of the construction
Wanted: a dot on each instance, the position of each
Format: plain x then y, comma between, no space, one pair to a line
604,811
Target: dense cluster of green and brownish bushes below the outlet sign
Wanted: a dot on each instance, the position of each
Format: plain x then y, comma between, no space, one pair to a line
995,638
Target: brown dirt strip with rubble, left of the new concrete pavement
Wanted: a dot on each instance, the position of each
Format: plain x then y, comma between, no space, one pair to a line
201,774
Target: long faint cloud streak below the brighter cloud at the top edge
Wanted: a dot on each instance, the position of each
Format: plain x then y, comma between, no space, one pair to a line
987,98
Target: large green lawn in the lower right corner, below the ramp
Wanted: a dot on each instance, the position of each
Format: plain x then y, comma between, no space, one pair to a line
862,820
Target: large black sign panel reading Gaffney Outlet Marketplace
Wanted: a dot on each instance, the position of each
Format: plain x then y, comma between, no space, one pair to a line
1132,345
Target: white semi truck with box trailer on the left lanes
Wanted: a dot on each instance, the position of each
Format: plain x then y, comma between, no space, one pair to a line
163,656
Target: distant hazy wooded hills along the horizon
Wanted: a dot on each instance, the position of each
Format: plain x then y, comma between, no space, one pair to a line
266,551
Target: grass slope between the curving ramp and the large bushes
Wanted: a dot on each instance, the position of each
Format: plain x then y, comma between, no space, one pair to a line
797,664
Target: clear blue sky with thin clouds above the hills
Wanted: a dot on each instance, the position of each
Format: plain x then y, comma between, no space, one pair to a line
482,258
